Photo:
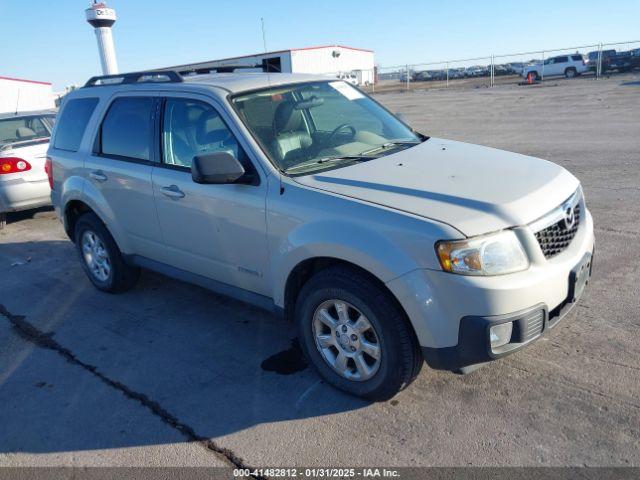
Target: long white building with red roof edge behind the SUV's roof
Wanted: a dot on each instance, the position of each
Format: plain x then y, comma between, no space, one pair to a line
330,60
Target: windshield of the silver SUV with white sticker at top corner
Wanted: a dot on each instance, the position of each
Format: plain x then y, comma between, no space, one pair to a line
320,125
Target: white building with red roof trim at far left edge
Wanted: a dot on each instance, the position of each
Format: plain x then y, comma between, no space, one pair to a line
19,95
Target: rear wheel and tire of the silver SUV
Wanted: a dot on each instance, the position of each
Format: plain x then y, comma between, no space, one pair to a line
103,263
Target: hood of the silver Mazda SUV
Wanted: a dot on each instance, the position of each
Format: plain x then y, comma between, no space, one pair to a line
472,188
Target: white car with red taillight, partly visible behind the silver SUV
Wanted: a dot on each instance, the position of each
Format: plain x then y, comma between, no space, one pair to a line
24,139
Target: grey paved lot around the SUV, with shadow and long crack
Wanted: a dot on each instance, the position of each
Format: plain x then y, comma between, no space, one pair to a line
170,374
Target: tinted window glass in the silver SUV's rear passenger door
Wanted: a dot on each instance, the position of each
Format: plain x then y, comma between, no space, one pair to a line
127,128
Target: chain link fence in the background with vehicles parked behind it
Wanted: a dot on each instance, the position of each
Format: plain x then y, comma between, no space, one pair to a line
531,67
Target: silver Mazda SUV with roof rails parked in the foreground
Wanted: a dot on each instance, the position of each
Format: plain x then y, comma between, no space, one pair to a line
305,196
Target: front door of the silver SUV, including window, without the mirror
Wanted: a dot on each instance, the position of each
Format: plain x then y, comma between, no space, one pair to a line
216,231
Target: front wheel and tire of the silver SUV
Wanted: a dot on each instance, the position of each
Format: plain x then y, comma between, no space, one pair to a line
399,358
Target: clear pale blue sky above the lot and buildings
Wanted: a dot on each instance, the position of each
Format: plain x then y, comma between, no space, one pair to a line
50,41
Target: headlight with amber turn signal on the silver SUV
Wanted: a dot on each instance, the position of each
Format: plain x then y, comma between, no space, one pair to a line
494,254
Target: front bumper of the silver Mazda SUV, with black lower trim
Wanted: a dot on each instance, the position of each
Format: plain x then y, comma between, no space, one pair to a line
452,314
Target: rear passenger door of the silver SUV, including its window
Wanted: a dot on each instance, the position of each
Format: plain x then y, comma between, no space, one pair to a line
119,169
